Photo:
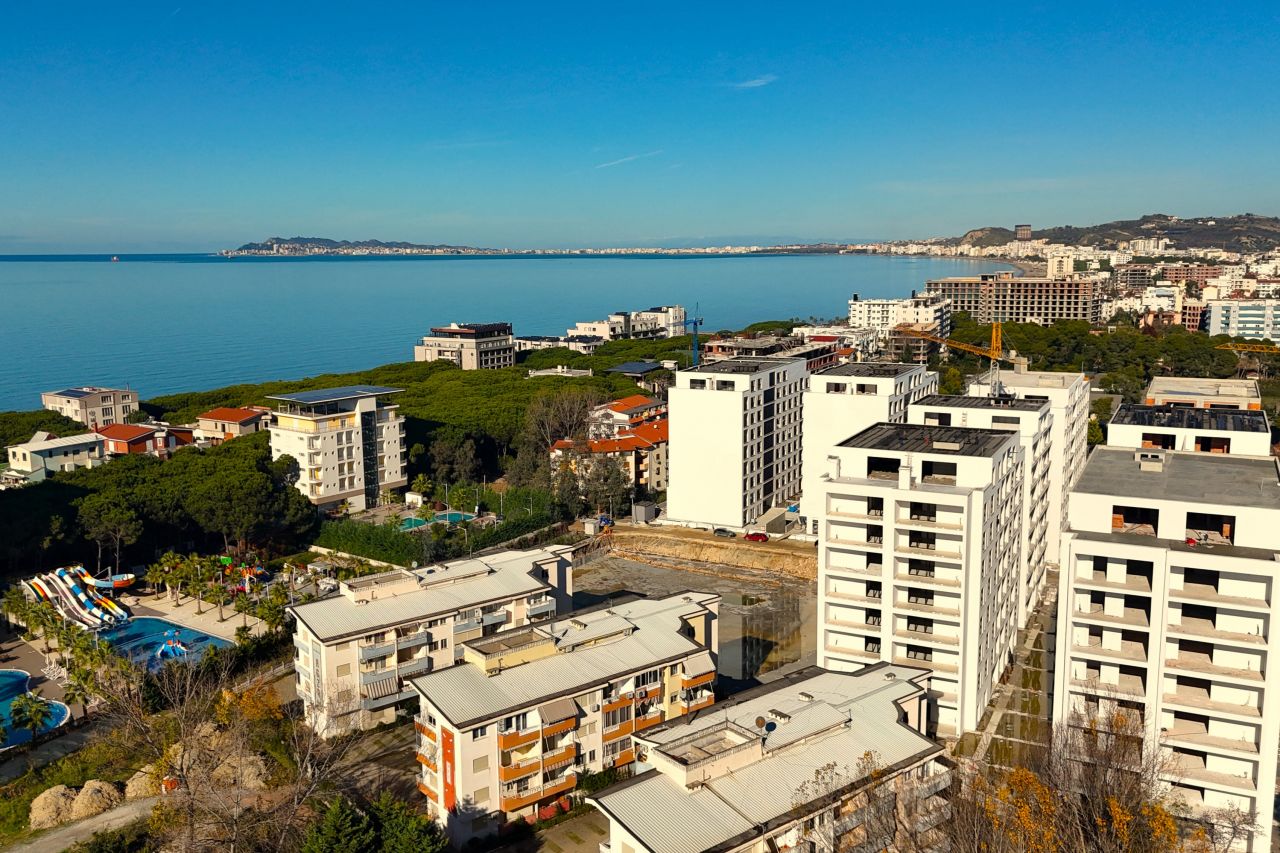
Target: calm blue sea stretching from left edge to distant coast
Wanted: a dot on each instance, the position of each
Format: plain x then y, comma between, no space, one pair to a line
166,323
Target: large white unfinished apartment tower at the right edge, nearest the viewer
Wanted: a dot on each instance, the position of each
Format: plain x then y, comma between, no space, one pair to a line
1169,614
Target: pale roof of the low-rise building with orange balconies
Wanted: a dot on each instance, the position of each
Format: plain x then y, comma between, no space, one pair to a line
592,649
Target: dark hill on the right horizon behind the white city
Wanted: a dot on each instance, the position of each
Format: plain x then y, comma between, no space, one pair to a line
1242,234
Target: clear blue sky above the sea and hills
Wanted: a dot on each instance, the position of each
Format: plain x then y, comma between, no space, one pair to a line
191,127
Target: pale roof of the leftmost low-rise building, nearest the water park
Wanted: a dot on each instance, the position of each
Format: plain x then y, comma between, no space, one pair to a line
424,594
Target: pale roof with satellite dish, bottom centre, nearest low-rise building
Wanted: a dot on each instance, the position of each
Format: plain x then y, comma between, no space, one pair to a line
816,723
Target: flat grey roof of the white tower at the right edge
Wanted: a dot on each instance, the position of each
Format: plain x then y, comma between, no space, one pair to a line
1196,478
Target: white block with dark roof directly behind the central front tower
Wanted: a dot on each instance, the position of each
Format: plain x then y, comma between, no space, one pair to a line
1032,422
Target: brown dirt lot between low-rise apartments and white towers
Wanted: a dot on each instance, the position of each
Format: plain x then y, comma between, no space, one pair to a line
767,618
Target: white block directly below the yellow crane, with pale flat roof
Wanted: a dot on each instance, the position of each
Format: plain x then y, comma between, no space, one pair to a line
1068,396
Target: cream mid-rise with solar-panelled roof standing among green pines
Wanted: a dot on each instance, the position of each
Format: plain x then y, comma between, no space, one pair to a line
348,443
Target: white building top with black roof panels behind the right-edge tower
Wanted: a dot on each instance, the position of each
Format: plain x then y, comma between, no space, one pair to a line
1195,431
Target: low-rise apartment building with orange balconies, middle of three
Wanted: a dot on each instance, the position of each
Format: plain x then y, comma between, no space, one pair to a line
529,711
